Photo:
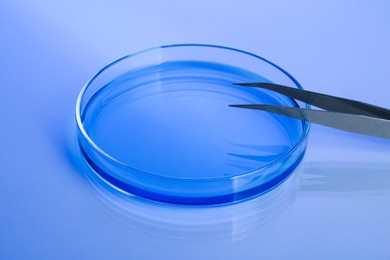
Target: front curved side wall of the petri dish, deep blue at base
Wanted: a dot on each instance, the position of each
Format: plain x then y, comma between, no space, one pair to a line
193,192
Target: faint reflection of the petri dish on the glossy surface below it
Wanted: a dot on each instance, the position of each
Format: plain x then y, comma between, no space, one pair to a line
193,226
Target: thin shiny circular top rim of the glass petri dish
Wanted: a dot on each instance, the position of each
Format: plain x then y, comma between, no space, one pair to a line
85,136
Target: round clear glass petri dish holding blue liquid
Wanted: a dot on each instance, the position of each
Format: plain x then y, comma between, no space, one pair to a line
157,124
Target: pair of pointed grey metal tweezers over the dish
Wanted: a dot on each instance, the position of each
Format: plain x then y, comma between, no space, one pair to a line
340,113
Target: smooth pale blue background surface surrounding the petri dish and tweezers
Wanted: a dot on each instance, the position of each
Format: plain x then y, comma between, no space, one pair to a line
336,207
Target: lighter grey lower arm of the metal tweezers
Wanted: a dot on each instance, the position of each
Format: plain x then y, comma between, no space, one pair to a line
366,125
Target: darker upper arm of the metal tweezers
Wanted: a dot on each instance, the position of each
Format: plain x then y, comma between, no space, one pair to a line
326,102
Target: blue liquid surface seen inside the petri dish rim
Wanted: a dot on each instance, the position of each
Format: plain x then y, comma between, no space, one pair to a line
173,120
